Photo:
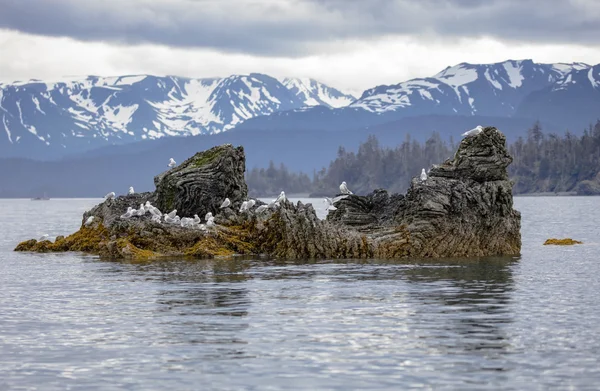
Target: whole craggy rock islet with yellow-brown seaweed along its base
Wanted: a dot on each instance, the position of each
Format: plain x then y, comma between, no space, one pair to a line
464,208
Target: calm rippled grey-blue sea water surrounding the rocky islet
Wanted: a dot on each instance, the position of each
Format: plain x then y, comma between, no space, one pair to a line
70,321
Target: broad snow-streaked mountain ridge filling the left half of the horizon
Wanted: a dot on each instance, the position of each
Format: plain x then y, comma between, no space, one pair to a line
93,110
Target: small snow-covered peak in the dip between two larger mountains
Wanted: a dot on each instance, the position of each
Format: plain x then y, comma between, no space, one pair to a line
314,93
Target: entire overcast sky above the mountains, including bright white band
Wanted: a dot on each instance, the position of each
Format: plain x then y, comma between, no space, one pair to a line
349,44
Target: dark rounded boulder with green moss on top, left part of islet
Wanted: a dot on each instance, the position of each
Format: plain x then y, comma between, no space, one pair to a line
201,183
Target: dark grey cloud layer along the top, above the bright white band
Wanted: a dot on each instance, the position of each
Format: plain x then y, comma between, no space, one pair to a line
300,27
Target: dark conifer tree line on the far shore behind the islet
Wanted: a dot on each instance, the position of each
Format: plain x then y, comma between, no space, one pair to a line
541,163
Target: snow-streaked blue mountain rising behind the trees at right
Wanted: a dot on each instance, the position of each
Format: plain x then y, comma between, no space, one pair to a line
467,89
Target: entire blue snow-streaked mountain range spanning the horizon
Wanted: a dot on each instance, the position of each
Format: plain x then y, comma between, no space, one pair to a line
50,119
